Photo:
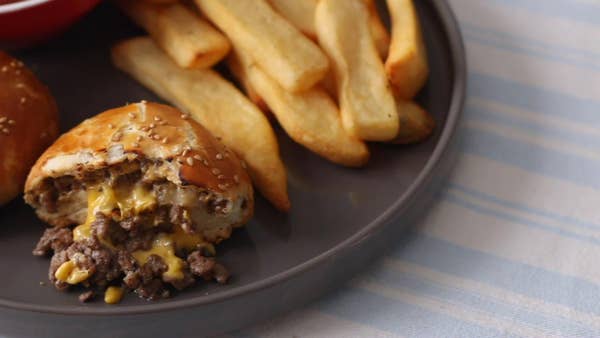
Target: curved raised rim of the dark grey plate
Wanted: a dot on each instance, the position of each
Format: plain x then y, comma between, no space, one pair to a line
451,28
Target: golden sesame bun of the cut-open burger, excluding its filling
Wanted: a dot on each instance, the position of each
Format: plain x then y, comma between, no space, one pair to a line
161,142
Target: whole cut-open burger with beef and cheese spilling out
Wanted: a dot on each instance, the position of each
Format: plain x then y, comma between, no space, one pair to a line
137,197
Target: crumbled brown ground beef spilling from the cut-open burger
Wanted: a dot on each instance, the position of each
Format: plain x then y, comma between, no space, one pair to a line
116,266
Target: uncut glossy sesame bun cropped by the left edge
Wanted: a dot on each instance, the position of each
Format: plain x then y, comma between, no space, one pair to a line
28,124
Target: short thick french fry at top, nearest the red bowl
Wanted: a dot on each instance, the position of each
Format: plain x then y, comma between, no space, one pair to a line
189,40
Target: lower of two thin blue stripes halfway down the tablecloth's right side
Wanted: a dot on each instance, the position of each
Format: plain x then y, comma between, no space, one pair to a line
449,197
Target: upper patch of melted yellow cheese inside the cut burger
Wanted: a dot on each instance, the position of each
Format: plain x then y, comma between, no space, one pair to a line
105,199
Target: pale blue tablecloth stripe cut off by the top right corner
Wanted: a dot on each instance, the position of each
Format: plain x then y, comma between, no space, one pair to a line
559,8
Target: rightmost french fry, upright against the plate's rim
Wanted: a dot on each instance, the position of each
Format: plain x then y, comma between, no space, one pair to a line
406,64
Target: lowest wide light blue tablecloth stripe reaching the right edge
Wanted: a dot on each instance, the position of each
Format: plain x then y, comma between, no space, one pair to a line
517,277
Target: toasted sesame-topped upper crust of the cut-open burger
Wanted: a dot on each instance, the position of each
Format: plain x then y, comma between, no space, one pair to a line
148,131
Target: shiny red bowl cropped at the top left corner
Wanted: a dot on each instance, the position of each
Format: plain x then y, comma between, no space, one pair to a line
27,22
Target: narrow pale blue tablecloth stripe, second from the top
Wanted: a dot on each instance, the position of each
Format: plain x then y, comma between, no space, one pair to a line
553,49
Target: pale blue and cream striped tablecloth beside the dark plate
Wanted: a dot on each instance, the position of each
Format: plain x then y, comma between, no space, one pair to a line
512,246
